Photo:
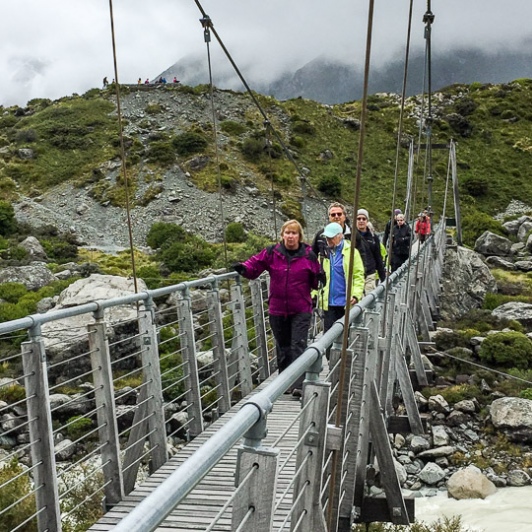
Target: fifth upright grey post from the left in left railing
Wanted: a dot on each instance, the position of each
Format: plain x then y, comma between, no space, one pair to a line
220,360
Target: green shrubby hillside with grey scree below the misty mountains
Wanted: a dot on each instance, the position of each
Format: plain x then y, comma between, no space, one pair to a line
65,157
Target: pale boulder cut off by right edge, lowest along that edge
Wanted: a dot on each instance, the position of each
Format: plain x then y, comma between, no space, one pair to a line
513,416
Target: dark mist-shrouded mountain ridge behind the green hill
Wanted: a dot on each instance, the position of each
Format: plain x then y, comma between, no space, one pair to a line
331,81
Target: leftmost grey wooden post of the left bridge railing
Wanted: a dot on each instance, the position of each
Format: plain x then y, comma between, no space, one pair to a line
40,428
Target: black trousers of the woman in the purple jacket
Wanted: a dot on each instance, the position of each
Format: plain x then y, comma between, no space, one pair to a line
291,334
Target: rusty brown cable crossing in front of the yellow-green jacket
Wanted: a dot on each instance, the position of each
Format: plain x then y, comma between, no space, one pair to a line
345,338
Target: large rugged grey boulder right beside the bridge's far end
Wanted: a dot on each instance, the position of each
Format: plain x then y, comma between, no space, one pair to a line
466,280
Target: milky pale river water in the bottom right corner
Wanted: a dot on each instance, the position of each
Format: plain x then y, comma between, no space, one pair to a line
507,510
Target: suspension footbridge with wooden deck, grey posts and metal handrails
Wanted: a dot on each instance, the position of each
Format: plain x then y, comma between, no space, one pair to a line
257,459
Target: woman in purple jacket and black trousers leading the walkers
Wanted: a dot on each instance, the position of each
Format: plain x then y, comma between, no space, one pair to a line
294,272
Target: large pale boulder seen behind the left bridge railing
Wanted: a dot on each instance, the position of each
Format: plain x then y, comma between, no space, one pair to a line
67,337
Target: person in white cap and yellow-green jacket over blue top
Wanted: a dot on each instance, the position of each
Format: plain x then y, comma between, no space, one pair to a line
332,297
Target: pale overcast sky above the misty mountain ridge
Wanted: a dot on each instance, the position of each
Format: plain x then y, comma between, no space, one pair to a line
54,48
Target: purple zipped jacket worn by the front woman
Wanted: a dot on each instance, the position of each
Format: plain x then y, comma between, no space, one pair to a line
292,277
